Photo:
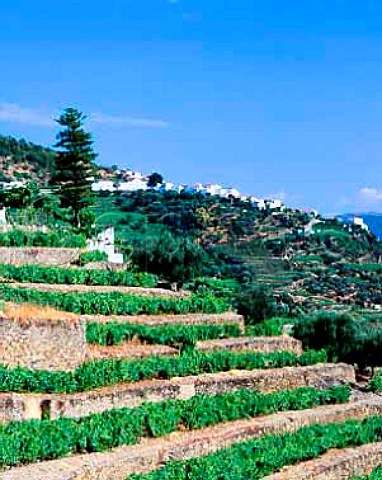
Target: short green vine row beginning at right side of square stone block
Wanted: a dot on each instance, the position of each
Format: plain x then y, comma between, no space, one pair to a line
184,336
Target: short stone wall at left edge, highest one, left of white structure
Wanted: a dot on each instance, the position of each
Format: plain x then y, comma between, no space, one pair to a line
39,256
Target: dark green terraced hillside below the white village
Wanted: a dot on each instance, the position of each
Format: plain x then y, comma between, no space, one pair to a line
312,259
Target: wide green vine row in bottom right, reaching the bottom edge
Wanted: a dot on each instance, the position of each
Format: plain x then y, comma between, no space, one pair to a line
255,459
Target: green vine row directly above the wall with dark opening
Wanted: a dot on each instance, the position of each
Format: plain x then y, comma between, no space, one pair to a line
111,372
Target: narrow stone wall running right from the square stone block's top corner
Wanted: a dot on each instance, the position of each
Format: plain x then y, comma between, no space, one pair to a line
229,318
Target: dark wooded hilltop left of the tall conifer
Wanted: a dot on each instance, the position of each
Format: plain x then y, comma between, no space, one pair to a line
23,160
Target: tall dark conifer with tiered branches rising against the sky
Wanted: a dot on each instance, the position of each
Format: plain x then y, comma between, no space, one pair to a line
74,168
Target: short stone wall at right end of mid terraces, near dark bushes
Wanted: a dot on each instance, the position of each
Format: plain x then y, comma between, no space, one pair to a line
255,344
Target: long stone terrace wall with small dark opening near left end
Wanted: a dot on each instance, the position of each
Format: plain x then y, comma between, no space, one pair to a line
15,406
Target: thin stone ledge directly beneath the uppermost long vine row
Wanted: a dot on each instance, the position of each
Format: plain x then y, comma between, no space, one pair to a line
152,292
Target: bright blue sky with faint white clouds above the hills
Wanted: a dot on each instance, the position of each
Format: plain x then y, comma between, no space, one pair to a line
273,97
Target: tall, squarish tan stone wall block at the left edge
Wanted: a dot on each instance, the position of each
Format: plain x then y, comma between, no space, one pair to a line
42,344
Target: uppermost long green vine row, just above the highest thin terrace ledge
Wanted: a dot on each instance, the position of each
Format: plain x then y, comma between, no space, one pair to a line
77,276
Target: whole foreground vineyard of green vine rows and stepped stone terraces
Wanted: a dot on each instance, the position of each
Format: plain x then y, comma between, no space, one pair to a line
148,386
